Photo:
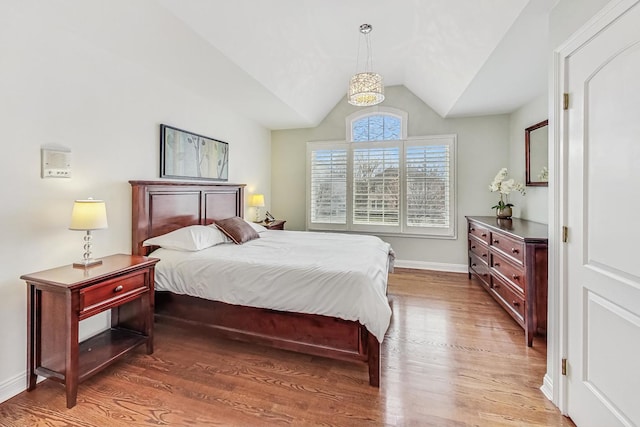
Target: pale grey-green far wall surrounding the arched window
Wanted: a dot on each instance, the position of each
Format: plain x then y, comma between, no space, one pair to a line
483,148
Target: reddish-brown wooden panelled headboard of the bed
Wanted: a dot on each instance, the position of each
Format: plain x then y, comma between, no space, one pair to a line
159,207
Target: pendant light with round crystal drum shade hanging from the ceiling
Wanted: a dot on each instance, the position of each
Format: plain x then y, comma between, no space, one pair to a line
366,88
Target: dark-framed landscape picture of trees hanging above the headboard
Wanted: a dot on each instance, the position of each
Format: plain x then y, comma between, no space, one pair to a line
186,154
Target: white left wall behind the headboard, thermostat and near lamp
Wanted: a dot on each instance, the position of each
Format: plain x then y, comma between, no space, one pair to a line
59,87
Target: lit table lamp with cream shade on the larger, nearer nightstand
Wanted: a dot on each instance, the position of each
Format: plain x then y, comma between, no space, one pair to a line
88,215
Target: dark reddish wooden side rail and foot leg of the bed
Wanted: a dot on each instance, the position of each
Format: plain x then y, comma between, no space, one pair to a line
306,333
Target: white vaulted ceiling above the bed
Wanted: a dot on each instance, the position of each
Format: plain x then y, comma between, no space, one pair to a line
287,63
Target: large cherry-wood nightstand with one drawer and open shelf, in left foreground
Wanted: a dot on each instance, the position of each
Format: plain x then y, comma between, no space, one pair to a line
58,299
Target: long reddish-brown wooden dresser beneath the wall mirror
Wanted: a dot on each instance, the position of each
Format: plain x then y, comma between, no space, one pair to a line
508,257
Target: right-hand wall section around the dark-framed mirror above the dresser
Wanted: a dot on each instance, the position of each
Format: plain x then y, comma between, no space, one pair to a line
534,206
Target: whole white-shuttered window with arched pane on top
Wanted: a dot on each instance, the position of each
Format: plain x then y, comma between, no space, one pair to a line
382,182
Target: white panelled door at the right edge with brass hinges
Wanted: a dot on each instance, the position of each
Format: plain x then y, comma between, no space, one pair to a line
602,124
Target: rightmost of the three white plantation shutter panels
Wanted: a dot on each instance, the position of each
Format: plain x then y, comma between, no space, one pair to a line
428,172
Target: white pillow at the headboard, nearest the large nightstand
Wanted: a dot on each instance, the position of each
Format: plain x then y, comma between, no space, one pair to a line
191,238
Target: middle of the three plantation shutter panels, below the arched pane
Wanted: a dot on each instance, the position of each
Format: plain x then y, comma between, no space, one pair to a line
376,184
